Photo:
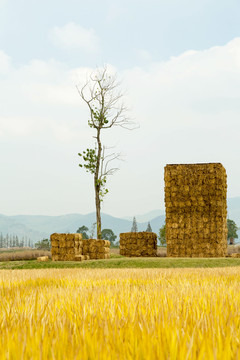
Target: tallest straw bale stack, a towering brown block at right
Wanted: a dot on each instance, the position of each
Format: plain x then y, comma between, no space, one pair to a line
196,210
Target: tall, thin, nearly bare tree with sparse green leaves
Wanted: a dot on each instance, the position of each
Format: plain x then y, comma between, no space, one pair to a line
104,100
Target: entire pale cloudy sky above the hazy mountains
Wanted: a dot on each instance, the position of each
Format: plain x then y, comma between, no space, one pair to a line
178,63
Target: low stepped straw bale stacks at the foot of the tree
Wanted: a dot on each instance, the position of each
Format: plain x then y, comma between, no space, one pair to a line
73,247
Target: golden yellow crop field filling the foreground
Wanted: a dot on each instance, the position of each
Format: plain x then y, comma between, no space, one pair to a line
120,314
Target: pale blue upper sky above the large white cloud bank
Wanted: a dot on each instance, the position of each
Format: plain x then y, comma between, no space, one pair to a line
161,28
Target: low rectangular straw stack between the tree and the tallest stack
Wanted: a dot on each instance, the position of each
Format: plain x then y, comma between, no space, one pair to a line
138,244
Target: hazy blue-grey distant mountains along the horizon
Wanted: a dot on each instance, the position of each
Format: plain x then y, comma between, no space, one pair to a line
38,227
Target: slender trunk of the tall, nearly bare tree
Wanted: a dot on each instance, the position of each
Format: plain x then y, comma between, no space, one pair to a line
97,187
